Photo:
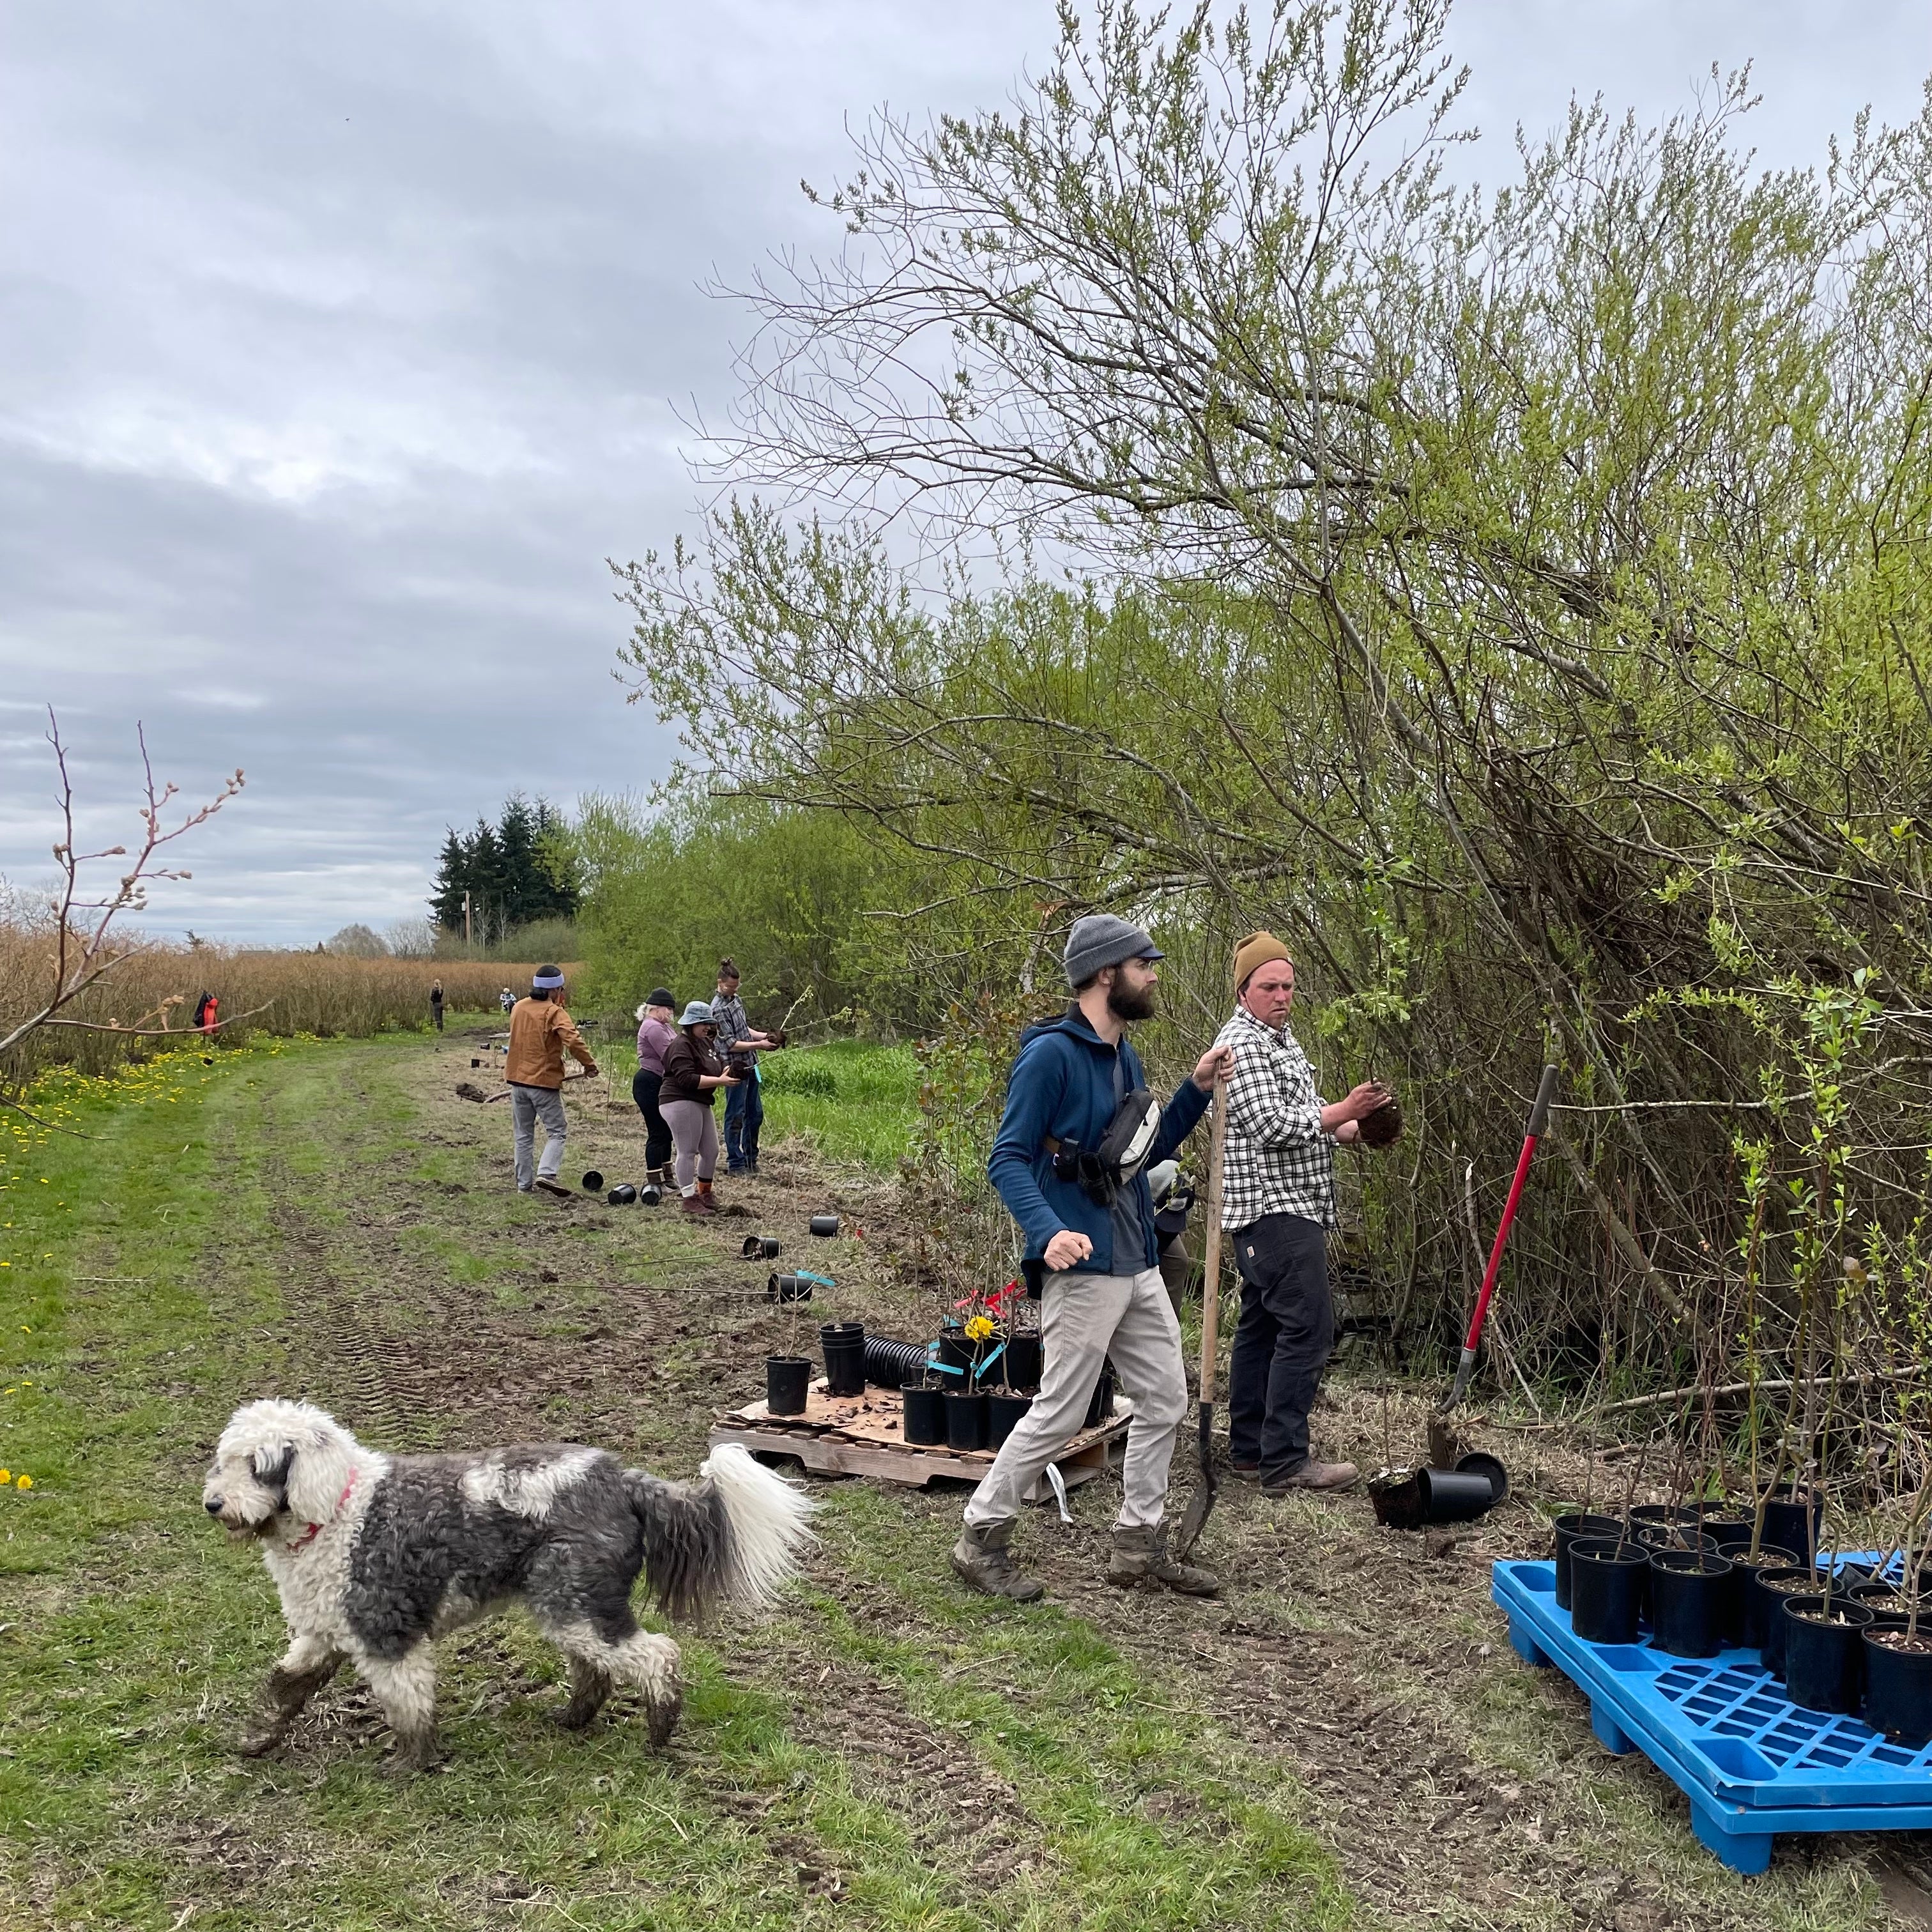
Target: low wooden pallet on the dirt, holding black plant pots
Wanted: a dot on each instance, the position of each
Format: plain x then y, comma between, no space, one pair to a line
865,1436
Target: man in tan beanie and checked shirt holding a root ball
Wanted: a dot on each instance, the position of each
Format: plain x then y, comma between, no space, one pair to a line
1278,1201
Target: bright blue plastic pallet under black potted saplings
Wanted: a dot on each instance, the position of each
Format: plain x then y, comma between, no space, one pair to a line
1724,1732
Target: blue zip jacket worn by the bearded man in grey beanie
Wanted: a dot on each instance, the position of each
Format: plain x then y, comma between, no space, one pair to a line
1062,1085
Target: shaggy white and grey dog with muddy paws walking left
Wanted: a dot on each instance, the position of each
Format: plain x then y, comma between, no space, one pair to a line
378,1556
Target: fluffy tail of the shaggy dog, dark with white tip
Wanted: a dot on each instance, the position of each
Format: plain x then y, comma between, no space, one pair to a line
731,1539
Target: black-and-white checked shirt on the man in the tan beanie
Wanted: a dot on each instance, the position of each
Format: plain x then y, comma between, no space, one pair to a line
1280,1156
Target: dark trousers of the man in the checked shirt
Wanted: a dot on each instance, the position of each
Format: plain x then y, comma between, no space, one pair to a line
1282,1342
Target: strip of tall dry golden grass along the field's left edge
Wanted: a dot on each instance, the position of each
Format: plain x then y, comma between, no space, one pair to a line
258,992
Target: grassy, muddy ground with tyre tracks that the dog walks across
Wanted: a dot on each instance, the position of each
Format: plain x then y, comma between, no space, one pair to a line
1342,1740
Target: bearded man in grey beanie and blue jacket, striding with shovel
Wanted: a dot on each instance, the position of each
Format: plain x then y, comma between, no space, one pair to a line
1069,1162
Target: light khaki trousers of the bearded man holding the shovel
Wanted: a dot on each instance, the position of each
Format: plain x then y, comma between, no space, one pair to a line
1083,1321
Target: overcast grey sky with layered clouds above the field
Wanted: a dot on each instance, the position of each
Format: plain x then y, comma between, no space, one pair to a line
339,347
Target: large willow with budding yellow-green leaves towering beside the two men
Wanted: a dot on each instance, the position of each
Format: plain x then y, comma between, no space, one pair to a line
1531,584
